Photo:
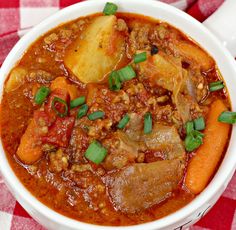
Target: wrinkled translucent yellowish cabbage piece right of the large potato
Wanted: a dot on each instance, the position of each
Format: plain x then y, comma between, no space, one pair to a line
166,71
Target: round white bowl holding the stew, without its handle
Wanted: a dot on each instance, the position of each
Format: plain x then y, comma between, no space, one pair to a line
192,212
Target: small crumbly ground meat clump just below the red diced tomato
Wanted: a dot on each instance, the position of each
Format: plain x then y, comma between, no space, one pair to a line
58,161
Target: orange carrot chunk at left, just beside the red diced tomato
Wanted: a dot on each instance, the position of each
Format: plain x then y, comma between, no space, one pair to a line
29,151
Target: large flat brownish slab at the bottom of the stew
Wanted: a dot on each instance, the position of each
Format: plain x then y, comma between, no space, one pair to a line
140,186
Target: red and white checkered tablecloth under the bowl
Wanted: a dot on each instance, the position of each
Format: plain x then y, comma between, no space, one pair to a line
16,18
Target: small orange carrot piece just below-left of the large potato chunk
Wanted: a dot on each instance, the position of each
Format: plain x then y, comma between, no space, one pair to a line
60,82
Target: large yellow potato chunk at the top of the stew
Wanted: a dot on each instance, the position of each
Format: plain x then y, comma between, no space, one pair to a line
98,52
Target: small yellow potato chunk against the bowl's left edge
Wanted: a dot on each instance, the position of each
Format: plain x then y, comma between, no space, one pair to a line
16,79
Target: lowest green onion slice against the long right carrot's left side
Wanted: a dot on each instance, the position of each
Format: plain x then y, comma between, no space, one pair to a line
193,140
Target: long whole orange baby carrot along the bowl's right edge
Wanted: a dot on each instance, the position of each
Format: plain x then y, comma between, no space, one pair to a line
203,165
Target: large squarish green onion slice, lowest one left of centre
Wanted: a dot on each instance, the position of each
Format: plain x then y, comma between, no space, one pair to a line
96,152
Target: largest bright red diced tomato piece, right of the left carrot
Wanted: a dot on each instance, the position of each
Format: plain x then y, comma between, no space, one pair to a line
60,132
